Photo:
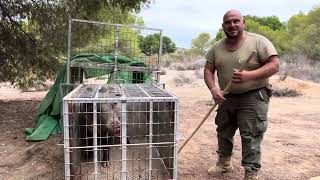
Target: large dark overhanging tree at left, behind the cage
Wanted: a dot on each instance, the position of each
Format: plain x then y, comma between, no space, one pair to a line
33,34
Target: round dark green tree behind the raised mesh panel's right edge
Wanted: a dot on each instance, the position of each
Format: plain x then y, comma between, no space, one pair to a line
150,44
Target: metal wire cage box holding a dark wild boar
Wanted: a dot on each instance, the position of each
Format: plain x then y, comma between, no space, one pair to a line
120,131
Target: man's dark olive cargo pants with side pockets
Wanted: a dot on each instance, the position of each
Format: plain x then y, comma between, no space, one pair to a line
248,112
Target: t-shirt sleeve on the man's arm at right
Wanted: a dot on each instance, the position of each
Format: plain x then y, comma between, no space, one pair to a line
265,49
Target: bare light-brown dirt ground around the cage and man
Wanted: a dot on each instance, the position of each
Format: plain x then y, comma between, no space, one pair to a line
290,147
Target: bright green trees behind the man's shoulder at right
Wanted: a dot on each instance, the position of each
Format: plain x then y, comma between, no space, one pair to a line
297,36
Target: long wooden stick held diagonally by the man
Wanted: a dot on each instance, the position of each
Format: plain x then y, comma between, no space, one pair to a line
215,104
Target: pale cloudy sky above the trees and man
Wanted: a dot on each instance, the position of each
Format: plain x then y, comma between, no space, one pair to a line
184,20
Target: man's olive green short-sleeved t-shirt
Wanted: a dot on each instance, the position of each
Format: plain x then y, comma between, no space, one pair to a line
226,60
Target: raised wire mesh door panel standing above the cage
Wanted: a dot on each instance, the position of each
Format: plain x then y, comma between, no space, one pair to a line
99,52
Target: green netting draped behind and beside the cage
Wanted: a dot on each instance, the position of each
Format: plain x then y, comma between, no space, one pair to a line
48,114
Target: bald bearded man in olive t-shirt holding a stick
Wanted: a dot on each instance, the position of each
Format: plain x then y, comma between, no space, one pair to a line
245,106
